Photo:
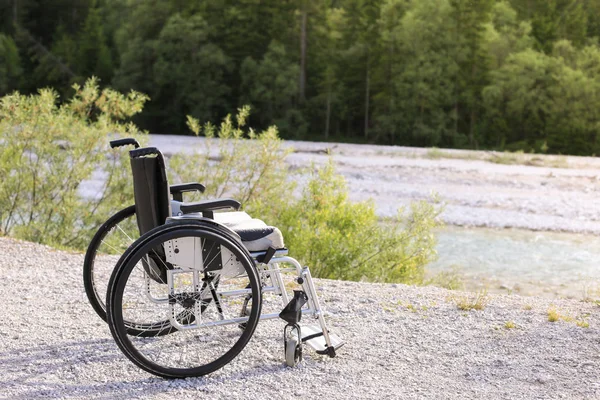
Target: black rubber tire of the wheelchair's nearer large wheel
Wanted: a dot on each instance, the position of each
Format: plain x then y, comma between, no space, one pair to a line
120,329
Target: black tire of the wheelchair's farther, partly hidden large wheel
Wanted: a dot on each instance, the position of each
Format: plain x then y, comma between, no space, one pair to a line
91,288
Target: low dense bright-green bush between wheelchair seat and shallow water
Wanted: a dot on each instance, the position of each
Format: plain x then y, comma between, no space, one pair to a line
340,239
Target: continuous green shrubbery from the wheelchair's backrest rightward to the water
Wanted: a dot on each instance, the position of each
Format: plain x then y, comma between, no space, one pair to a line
337,238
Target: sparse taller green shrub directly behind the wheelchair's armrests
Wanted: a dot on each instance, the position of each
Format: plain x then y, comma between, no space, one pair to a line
233,161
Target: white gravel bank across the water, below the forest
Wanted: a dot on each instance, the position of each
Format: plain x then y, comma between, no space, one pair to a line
476,193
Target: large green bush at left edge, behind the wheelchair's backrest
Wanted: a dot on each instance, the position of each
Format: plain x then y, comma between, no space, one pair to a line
48,150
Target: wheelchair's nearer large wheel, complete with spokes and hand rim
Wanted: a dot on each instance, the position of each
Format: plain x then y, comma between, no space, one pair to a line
204,300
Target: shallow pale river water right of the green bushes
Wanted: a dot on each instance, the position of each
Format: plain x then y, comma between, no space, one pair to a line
524,262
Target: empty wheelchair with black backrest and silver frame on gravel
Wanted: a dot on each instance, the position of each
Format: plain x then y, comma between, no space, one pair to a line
185,297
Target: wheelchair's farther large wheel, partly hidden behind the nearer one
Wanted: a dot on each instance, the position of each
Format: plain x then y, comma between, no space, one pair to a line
108,244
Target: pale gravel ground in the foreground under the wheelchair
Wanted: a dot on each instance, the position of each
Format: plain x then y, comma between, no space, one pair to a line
401,342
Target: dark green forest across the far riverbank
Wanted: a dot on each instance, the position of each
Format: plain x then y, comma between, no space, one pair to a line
478,74
